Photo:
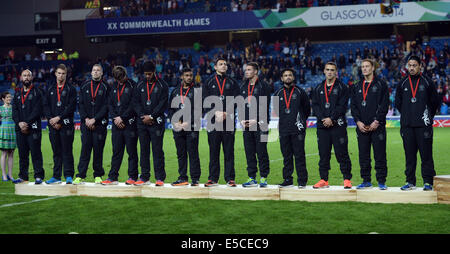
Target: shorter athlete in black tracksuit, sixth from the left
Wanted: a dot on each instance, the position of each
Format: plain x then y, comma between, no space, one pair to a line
185,99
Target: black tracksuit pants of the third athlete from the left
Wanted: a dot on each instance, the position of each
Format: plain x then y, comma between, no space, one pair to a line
92,140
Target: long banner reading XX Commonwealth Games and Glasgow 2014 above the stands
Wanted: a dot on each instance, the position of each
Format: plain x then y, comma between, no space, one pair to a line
269,19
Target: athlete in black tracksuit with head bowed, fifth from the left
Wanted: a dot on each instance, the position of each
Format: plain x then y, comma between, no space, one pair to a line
150,100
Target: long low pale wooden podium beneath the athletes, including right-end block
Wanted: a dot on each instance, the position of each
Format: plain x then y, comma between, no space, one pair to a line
441,193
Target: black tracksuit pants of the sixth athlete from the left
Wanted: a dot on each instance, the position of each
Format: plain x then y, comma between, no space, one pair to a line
186,143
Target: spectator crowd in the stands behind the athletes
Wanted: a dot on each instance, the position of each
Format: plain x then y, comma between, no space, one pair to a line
272,58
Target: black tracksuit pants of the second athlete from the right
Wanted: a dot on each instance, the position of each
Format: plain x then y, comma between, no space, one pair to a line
377,140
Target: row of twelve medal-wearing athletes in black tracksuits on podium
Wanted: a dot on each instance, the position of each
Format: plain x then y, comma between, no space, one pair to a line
137,112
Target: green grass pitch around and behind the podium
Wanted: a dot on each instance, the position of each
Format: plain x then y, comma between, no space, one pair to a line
119,215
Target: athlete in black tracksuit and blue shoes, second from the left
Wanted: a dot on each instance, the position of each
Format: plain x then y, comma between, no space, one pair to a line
61,102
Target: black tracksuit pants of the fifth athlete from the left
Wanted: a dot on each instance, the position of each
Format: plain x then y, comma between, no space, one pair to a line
155,136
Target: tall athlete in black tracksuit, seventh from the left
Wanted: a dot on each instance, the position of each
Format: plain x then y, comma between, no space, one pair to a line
221,85
